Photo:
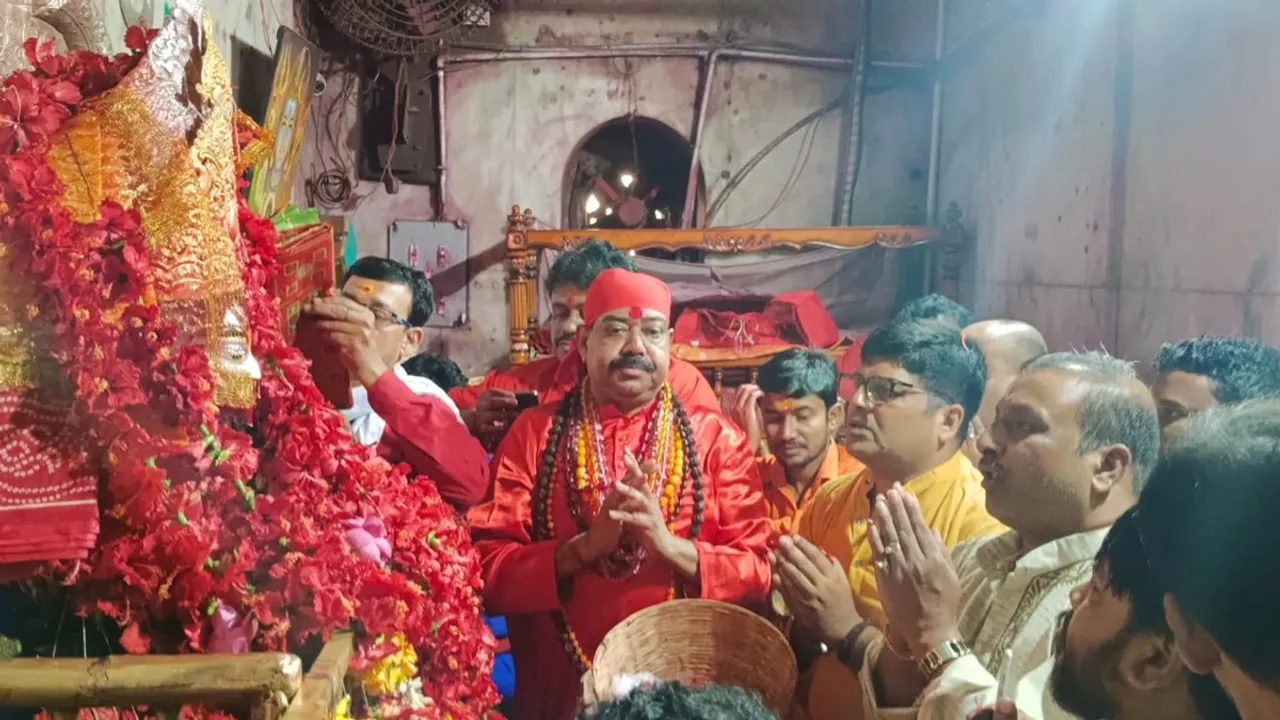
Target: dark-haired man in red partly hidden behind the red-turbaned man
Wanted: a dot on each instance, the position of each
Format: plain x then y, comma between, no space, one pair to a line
490,407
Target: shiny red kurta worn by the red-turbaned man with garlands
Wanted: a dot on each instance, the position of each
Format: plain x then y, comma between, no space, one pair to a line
520,575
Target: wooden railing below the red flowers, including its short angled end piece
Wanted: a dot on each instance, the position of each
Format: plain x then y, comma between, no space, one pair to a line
271,686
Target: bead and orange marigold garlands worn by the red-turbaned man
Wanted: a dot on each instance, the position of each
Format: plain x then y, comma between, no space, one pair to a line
668,444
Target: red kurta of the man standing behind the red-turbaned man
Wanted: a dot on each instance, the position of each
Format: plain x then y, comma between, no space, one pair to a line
543,376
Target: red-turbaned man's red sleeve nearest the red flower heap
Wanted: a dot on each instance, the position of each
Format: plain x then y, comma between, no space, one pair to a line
519,575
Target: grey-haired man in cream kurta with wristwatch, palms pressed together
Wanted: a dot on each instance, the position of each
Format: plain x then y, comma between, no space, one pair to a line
1073,440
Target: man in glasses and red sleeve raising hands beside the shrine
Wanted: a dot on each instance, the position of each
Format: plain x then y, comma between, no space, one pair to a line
376,323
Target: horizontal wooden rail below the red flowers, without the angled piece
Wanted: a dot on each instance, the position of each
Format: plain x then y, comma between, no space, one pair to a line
154,681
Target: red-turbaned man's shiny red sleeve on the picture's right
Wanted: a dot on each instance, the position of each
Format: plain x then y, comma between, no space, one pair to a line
733,559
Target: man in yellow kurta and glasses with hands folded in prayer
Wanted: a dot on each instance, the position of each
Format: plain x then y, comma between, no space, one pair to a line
918,390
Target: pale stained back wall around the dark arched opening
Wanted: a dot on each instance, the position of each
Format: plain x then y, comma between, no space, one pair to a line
511,127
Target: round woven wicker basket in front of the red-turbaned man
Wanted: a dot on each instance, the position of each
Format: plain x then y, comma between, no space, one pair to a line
698,642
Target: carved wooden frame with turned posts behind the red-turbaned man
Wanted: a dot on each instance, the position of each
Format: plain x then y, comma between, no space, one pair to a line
524,245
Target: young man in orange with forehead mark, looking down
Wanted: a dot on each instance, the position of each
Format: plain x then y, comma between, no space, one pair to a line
796,413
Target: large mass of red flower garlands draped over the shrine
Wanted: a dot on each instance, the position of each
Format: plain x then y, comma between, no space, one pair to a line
204,517
